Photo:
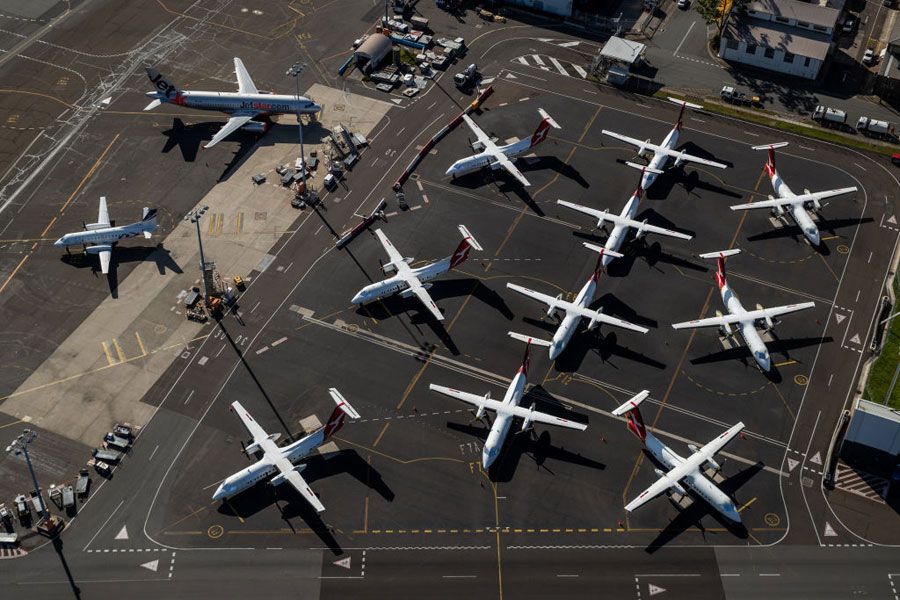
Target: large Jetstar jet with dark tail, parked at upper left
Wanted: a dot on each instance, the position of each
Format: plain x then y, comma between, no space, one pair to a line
248,108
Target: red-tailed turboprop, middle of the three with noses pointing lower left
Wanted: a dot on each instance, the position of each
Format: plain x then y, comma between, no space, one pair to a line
411,282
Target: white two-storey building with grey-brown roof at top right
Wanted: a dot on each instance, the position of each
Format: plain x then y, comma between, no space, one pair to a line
788,36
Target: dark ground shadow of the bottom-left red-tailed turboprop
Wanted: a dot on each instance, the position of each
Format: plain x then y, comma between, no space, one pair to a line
291,505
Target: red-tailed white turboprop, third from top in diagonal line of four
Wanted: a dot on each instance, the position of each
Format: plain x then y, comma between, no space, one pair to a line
577,309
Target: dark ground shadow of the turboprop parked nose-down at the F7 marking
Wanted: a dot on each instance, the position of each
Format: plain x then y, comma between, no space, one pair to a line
538,447
